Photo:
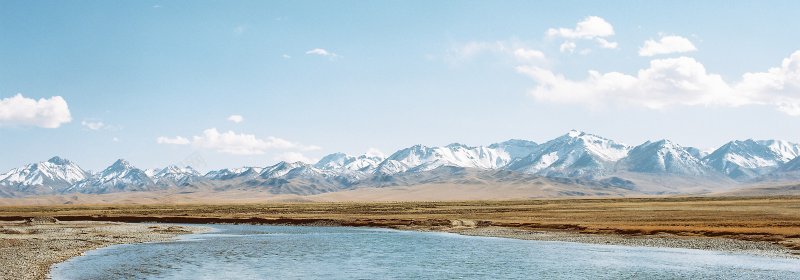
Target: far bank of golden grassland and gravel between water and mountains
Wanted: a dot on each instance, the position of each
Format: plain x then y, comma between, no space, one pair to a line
759,225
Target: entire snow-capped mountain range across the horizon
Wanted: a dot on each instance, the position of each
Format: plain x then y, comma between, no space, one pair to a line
586,161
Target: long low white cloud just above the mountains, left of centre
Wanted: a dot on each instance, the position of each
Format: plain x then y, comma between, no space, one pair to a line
236,143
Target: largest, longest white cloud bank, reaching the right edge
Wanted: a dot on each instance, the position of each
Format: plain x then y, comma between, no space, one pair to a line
673,82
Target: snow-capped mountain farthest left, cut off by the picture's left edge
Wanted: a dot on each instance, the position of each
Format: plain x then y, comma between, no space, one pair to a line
54,174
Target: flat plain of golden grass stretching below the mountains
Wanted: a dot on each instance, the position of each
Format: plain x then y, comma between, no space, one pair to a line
775,219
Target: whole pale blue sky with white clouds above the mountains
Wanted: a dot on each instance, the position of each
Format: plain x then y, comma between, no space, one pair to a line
217,84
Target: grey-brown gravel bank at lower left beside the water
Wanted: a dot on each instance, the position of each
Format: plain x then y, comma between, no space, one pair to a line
29,248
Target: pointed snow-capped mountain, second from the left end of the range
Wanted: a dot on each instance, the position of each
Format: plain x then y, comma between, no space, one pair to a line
120,176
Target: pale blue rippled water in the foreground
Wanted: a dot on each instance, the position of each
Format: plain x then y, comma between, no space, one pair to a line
285,252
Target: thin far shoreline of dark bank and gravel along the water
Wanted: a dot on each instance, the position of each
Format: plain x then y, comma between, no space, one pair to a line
542,232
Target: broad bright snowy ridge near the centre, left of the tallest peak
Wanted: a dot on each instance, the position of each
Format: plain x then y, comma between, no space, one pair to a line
420,158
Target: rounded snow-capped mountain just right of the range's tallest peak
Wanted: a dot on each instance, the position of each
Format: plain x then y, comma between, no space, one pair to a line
663,157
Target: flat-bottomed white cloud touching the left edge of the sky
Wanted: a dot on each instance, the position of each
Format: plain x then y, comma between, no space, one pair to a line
46,112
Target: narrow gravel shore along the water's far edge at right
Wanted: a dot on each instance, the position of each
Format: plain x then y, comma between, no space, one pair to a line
658,240
